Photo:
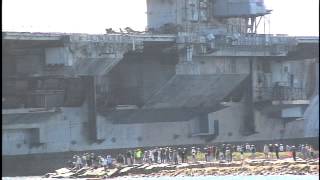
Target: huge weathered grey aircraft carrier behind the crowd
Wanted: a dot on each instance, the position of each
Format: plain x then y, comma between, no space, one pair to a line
199,74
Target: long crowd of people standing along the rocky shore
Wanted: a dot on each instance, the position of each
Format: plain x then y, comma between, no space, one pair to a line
178,155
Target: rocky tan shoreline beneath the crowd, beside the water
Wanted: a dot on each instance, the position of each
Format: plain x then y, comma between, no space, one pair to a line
236,168
